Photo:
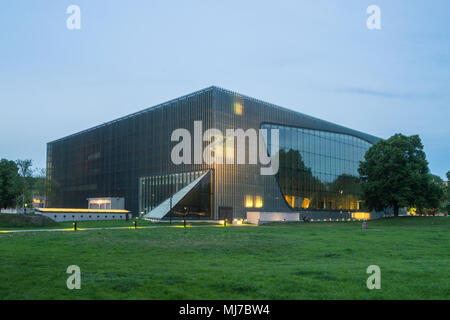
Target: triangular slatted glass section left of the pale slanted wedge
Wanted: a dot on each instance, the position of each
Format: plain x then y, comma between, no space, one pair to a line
155,189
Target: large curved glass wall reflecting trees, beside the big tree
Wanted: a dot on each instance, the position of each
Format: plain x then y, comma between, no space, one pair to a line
319,169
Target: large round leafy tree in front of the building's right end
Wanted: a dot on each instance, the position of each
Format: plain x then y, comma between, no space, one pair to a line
395,174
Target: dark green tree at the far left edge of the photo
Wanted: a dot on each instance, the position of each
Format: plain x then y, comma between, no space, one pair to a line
10,186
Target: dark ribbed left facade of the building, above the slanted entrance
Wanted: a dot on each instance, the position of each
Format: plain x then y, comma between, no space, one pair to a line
109,160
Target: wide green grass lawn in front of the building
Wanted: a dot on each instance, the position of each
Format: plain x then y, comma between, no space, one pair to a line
278,261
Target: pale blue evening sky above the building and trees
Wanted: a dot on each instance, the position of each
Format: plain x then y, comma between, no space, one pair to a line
316,57
